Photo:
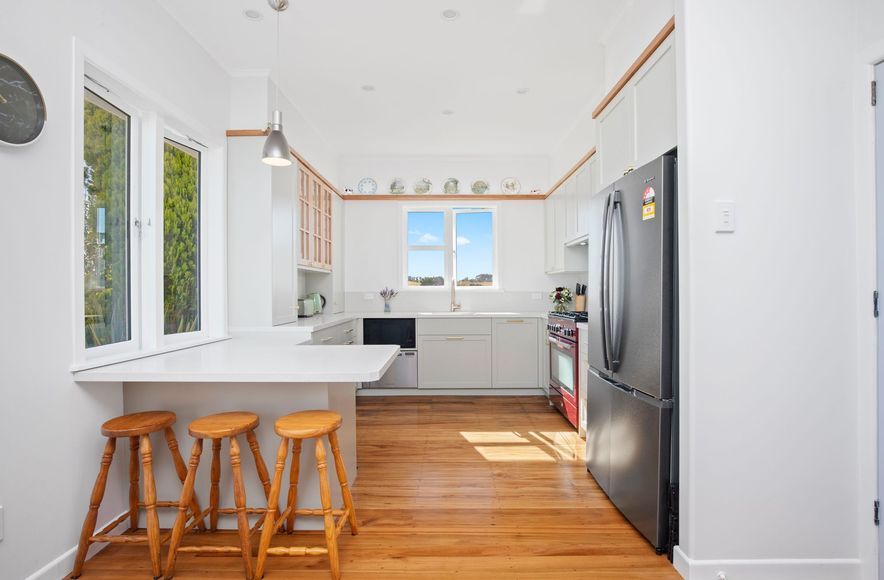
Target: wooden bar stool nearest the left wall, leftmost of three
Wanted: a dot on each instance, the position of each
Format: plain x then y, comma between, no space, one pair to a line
137,427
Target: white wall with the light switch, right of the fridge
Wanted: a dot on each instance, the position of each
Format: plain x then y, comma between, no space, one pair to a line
770,465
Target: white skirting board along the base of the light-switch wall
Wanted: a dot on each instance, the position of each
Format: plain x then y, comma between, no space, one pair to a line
785,569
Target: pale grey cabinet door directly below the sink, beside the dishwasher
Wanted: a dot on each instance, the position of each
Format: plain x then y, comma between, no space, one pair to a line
454,362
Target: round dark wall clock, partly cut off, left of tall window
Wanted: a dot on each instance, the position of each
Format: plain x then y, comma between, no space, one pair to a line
22,109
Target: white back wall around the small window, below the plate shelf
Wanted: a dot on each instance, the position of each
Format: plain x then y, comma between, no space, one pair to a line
373,254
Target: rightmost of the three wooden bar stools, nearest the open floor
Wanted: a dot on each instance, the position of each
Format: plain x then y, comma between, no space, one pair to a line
297,427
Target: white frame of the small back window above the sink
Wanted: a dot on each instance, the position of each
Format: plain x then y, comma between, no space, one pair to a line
449,248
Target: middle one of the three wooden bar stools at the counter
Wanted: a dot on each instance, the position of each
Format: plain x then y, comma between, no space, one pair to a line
216,428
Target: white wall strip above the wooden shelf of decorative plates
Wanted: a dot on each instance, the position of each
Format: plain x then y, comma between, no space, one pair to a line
531,171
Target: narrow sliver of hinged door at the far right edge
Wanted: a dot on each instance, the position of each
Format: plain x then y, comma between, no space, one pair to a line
879,179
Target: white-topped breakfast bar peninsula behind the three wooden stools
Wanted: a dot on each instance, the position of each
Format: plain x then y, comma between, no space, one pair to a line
267,375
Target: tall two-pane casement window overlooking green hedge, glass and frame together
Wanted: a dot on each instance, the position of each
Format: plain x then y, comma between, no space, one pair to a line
141,247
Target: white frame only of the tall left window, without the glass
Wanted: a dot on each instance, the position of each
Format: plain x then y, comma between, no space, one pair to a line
152,121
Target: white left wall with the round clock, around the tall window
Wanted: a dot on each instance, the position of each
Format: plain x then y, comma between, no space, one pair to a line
49,426
